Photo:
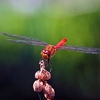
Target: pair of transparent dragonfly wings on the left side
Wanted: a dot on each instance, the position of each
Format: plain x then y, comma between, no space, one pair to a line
25,40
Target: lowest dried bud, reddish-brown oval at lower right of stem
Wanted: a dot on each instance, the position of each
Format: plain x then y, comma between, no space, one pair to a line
49,92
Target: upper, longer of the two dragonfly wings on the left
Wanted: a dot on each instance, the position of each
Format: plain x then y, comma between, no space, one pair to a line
22,37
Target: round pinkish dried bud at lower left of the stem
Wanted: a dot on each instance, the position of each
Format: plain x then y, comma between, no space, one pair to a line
38,86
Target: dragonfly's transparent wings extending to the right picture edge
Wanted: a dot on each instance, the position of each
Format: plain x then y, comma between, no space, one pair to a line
82,49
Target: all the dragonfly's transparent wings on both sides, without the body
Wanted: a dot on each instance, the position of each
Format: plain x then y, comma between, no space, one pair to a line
33,41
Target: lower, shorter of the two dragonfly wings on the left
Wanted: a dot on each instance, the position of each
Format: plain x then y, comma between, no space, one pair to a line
28,42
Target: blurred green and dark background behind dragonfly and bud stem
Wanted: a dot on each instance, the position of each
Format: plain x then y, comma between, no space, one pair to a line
75,76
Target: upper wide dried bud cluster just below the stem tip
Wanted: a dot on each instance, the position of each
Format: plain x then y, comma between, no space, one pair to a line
43,74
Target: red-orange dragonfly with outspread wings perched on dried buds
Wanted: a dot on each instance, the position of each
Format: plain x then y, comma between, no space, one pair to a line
50,50
